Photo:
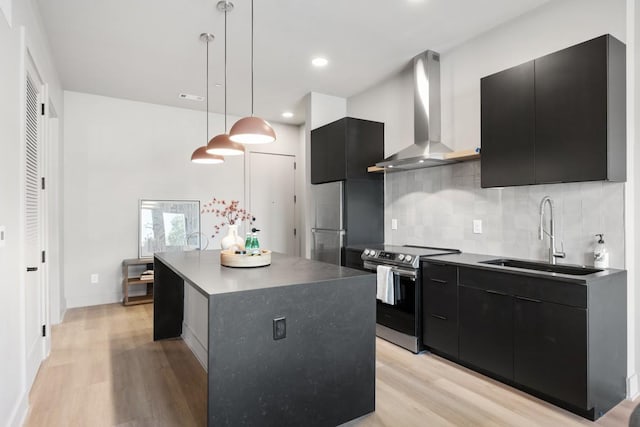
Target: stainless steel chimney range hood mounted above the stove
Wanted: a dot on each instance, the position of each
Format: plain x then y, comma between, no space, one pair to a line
427,149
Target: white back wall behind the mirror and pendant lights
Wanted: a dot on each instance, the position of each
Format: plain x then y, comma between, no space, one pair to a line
119,151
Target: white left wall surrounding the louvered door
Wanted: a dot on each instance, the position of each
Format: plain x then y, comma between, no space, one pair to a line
24,16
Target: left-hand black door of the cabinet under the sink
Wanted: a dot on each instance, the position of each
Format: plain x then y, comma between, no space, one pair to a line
486,330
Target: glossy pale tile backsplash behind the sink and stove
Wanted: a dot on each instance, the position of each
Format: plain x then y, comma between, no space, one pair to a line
436,207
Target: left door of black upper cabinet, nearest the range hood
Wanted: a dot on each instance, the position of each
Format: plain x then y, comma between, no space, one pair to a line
508,124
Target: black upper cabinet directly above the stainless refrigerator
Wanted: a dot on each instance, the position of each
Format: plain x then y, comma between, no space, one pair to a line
344,149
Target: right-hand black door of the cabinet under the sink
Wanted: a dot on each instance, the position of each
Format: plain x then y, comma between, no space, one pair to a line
550,349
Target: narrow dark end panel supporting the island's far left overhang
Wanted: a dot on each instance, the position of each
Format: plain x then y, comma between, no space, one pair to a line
168,302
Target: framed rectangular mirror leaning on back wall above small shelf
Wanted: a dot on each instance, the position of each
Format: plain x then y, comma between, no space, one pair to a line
168,226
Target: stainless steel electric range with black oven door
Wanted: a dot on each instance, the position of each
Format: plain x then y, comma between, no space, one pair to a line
400,323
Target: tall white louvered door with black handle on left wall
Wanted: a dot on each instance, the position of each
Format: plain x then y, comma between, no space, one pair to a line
33,119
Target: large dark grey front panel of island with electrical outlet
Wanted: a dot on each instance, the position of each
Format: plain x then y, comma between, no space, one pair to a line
321,374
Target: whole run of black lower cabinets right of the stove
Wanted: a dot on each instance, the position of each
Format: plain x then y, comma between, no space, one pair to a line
563,340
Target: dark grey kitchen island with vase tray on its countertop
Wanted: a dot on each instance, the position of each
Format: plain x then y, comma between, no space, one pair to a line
292,343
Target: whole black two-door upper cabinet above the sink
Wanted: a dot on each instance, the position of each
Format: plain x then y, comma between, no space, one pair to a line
561,116
